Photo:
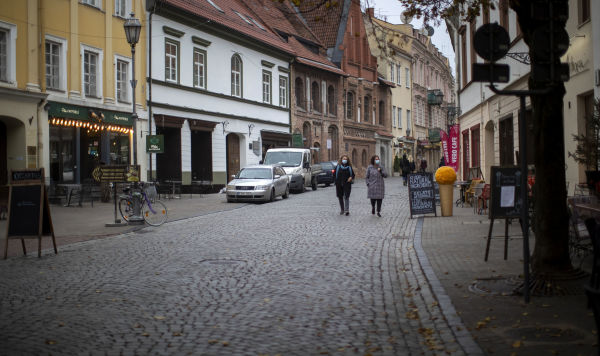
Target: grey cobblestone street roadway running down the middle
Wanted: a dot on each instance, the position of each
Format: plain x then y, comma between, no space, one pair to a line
289,277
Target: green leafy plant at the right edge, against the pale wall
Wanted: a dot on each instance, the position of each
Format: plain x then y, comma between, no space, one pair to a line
588,146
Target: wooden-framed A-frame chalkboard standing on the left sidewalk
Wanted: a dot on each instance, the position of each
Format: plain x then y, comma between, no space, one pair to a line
28,209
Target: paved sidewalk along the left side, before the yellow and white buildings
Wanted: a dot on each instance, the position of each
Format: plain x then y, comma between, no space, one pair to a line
75,224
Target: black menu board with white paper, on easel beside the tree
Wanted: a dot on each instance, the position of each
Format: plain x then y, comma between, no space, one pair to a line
506,192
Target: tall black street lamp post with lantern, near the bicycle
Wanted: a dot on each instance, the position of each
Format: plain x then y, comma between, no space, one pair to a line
132,28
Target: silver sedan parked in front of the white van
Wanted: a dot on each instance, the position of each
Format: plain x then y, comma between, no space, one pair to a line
258,183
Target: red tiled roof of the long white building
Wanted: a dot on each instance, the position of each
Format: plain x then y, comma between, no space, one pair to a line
235,16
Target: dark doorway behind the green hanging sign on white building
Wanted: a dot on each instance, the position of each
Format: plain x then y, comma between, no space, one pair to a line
168,164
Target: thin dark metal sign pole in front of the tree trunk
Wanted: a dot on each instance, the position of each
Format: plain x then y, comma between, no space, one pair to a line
524,193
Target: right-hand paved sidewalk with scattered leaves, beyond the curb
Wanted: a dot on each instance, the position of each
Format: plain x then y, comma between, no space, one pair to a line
502,324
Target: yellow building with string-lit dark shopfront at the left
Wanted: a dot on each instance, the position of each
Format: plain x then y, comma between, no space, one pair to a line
65,91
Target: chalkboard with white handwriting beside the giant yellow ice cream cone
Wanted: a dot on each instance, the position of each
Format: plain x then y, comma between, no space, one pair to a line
421,195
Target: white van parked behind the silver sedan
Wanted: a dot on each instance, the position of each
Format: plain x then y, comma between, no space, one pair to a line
297,164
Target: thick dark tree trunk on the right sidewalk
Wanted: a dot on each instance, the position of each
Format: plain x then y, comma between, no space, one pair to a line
551,251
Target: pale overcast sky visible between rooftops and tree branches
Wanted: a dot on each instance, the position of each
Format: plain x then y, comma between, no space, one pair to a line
390,10
